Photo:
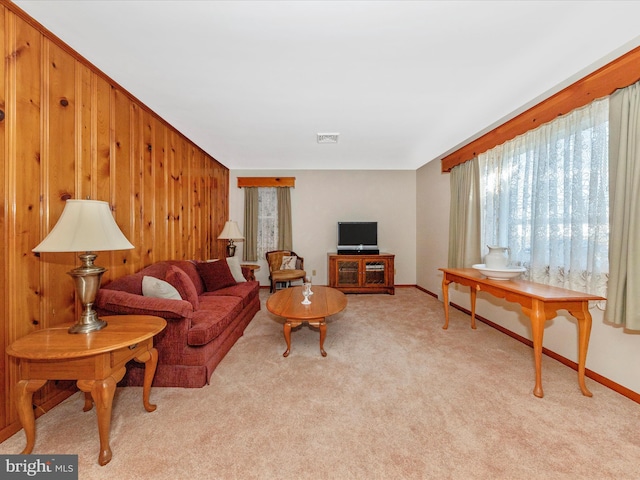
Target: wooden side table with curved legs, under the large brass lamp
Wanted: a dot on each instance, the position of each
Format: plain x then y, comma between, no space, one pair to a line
95,360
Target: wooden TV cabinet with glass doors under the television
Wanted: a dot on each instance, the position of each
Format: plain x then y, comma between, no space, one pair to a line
362,273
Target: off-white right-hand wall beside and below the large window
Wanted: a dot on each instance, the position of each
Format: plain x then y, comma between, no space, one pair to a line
612,353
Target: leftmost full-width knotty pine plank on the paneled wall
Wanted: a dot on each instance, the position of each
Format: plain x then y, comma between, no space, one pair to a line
23,181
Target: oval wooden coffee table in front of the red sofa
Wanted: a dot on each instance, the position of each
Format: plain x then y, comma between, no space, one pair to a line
287,303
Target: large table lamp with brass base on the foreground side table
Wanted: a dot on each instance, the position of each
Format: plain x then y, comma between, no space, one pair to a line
85,226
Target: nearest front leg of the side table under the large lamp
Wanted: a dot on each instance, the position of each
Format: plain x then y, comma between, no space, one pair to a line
102,392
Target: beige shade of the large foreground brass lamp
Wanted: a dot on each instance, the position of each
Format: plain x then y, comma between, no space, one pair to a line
85,226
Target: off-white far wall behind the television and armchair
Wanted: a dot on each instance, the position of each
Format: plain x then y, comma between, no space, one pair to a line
321,198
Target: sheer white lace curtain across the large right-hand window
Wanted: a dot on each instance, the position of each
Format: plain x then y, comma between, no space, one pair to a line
545,196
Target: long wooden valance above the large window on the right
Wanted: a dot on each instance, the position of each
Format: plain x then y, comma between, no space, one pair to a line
619,73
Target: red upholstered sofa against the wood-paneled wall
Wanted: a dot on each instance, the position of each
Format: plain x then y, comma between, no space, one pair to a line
201,327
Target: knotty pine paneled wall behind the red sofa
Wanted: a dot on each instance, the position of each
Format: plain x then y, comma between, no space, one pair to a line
68,131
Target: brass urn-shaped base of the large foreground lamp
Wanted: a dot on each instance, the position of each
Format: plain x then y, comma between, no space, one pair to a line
87,279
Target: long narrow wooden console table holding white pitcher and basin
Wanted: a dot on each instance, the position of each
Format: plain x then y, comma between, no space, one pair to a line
539,302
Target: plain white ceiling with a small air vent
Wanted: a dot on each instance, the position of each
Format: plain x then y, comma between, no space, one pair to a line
403,82
